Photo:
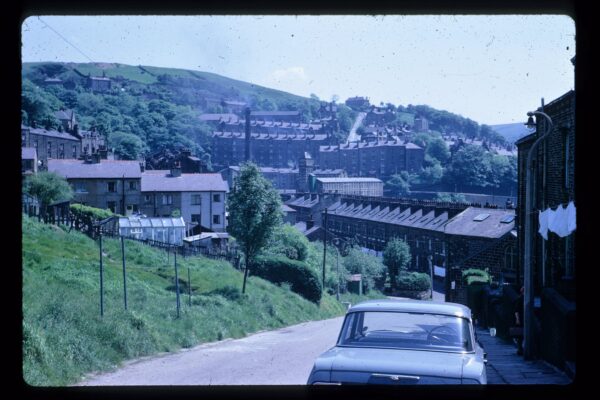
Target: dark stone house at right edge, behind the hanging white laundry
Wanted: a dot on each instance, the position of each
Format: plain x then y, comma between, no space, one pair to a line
553,260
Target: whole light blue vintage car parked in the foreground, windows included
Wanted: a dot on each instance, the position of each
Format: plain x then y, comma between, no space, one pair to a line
403,342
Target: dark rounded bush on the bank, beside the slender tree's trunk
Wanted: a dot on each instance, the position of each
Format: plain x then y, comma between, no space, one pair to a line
280,269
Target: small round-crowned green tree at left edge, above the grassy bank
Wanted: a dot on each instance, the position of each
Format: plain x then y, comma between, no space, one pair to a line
47,187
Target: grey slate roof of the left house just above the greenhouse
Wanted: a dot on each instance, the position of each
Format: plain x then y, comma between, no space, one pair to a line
78,169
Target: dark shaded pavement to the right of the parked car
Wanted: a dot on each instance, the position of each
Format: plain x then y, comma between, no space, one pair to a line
506,367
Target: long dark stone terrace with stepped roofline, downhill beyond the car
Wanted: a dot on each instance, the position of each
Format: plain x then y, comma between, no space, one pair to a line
443,237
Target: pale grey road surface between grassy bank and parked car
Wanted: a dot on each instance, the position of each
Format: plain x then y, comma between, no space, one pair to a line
281,357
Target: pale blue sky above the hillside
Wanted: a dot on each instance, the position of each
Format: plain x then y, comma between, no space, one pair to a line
492,69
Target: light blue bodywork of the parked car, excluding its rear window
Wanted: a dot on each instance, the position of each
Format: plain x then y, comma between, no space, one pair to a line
368,365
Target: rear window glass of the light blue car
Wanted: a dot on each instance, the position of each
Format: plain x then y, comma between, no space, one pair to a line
402,330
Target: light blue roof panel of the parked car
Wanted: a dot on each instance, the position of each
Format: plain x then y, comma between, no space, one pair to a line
418,306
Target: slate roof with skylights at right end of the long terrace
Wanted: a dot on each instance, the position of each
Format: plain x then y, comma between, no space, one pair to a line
491,227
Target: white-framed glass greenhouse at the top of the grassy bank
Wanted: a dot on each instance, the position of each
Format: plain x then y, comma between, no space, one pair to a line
165,230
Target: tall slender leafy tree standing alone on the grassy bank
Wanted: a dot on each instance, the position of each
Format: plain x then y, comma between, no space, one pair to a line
254,212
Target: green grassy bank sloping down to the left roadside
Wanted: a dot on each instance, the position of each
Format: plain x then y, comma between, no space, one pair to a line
64,336
